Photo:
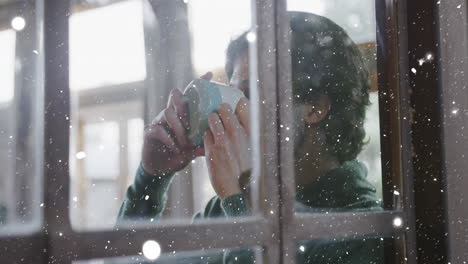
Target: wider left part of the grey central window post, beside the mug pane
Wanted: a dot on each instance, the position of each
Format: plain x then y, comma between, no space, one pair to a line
266,104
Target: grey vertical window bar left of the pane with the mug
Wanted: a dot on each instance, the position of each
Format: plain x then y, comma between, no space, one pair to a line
57,128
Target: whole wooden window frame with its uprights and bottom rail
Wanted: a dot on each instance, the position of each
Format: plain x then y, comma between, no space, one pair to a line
57,241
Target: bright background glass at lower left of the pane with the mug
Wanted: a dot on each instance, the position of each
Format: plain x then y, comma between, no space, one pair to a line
95,185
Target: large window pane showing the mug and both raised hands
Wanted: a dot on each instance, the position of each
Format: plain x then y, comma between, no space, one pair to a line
133,154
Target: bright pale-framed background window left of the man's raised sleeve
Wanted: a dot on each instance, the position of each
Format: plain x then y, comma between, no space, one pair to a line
103,141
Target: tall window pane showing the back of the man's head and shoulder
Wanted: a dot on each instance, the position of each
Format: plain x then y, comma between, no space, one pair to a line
336,108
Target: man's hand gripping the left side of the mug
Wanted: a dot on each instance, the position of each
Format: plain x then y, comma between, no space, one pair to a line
166,148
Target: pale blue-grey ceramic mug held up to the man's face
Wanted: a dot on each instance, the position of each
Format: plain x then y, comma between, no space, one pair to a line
203,98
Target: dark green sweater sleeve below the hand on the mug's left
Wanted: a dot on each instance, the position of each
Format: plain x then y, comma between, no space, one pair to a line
146,197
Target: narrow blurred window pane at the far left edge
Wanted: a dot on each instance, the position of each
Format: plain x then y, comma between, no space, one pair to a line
21,125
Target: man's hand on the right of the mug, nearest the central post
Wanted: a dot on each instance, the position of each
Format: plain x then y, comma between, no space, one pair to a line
227,148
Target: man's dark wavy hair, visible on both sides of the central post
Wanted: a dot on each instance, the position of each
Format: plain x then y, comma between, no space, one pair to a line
325,61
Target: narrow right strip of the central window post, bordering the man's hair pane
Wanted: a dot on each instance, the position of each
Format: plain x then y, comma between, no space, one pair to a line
285,120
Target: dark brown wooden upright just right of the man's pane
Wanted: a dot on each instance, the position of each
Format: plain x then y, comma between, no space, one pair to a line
395,126
